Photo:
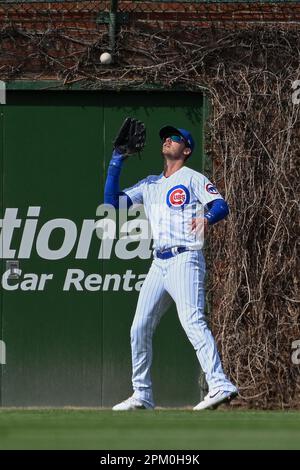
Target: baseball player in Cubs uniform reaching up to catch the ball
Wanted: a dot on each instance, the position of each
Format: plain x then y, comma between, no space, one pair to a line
171,201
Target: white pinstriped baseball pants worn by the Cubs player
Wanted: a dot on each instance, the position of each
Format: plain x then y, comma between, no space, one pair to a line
180,278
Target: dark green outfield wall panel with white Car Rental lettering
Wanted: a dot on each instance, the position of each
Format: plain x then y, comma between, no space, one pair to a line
67,295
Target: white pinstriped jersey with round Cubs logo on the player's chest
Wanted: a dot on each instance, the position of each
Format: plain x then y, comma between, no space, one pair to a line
171,203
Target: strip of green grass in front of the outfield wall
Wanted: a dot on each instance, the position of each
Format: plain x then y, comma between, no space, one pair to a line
149,430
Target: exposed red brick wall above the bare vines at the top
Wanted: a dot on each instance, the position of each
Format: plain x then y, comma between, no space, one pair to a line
70,28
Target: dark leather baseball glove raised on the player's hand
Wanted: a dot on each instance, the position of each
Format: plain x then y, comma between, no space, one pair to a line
131,137
